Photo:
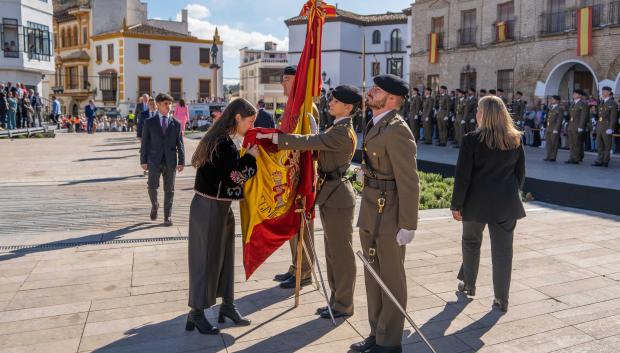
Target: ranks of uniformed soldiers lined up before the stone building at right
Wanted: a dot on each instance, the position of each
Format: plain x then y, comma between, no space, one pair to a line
449,116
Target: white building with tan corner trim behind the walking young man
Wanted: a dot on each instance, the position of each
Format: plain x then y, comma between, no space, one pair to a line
145,59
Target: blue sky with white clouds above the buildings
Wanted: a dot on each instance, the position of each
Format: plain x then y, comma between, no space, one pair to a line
250,23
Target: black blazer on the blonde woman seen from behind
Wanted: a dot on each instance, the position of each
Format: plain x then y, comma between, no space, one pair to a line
487,182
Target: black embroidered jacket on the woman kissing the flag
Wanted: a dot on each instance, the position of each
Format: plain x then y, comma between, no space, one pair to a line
224,177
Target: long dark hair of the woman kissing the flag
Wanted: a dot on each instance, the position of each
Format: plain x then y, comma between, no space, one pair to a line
224,126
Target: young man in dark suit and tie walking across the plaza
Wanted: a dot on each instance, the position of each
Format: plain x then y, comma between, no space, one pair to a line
162,153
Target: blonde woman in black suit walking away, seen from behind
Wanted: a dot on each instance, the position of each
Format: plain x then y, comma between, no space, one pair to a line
489,174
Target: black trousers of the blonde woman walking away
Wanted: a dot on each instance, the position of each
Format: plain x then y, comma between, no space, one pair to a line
501,254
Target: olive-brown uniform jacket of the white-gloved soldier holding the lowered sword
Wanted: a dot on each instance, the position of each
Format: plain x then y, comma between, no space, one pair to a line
390,151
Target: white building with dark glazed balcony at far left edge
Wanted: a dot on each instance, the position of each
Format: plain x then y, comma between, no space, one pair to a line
26,52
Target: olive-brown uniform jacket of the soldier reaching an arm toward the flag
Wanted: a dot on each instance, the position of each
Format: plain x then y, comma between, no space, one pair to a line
336,147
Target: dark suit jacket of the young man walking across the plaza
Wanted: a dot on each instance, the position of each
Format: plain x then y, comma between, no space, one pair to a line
158,147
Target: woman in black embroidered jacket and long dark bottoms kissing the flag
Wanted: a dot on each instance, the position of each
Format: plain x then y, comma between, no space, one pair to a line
220,176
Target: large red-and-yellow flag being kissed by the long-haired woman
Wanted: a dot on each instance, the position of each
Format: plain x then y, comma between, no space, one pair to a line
285,180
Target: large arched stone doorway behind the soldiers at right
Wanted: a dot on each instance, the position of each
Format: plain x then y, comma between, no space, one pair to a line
570,75
